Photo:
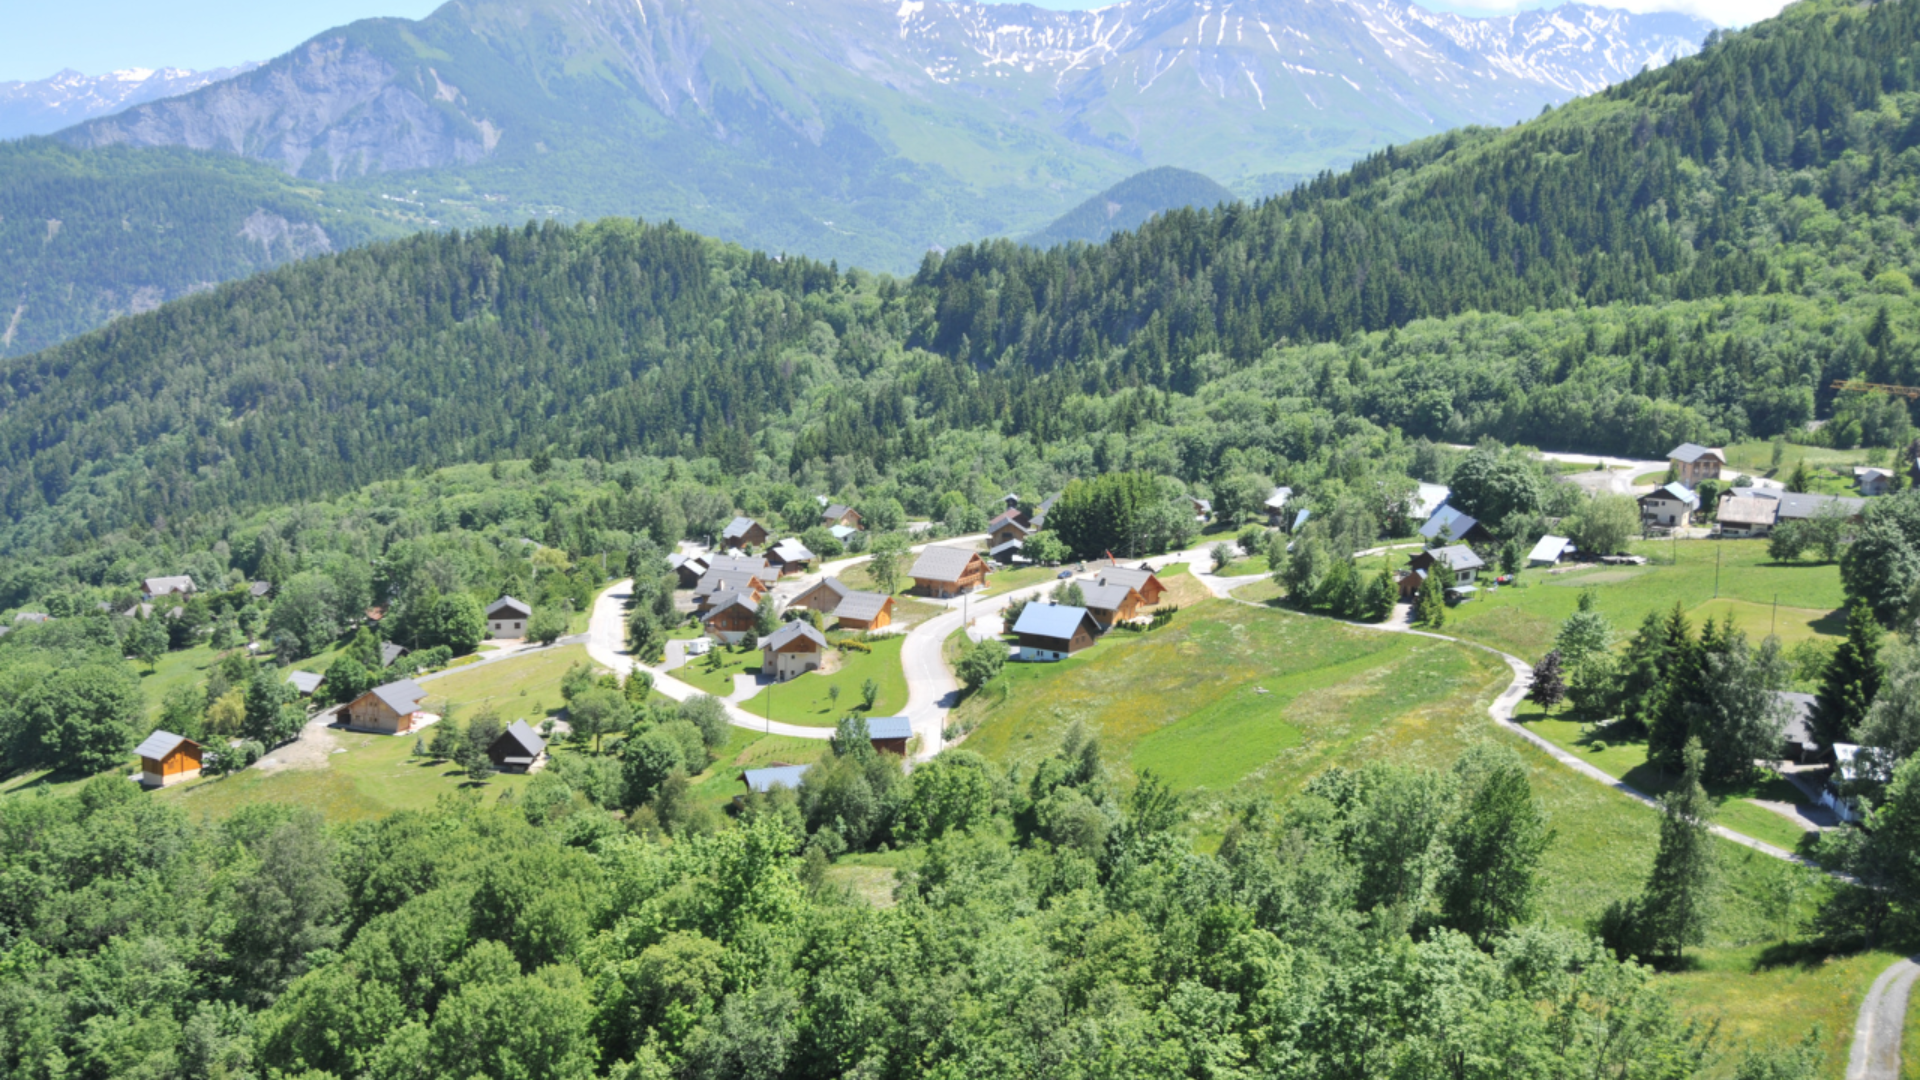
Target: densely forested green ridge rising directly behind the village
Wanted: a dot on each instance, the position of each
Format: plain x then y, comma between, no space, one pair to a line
1717,239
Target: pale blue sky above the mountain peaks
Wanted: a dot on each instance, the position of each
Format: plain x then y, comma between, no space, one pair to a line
105,36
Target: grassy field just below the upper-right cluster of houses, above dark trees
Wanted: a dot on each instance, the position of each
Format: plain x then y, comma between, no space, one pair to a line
1525,620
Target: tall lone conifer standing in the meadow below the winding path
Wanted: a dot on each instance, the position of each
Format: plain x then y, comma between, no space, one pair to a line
1679,898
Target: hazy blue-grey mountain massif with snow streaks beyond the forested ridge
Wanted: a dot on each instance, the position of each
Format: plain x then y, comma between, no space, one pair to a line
878,130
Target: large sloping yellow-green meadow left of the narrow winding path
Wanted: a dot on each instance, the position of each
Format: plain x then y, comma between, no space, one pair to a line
1184,702
